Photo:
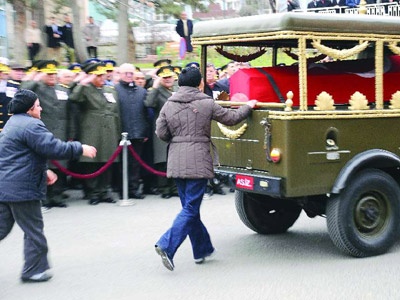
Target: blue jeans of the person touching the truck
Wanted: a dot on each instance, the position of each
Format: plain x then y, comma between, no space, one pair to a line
188,221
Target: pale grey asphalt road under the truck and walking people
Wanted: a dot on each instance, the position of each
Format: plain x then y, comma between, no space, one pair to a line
107,252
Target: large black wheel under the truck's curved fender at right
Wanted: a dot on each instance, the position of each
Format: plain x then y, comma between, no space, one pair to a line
363,220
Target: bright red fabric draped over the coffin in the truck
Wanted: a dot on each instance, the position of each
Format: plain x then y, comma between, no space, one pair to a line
340,79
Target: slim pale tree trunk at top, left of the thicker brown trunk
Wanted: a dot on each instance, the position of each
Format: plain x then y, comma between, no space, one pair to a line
81,54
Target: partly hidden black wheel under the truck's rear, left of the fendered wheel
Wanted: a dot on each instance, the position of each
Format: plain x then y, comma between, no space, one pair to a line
264,214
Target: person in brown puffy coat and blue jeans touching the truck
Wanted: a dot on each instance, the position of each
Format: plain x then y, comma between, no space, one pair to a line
185,123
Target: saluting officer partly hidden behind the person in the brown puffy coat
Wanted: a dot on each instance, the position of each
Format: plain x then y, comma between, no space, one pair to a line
163,88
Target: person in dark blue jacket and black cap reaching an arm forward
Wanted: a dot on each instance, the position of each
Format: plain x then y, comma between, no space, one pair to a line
26,142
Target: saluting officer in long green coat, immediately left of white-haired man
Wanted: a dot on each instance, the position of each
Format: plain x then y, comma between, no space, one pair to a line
99,125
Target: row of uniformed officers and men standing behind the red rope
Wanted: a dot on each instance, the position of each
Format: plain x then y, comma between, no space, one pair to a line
94,103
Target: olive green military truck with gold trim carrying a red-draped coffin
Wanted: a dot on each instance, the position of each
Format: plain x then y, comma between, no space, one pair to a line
324,138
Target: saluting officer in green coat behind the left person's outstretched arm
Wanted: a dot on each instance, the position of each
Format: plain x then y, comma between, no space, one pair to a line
56,116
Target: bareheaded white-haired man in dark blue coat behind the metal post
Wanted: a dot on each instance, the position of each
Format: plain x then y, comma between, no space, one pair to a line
134,121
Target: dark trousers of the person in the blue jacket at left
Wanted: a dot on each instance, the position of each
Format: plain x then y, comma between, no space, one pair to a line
28,216
